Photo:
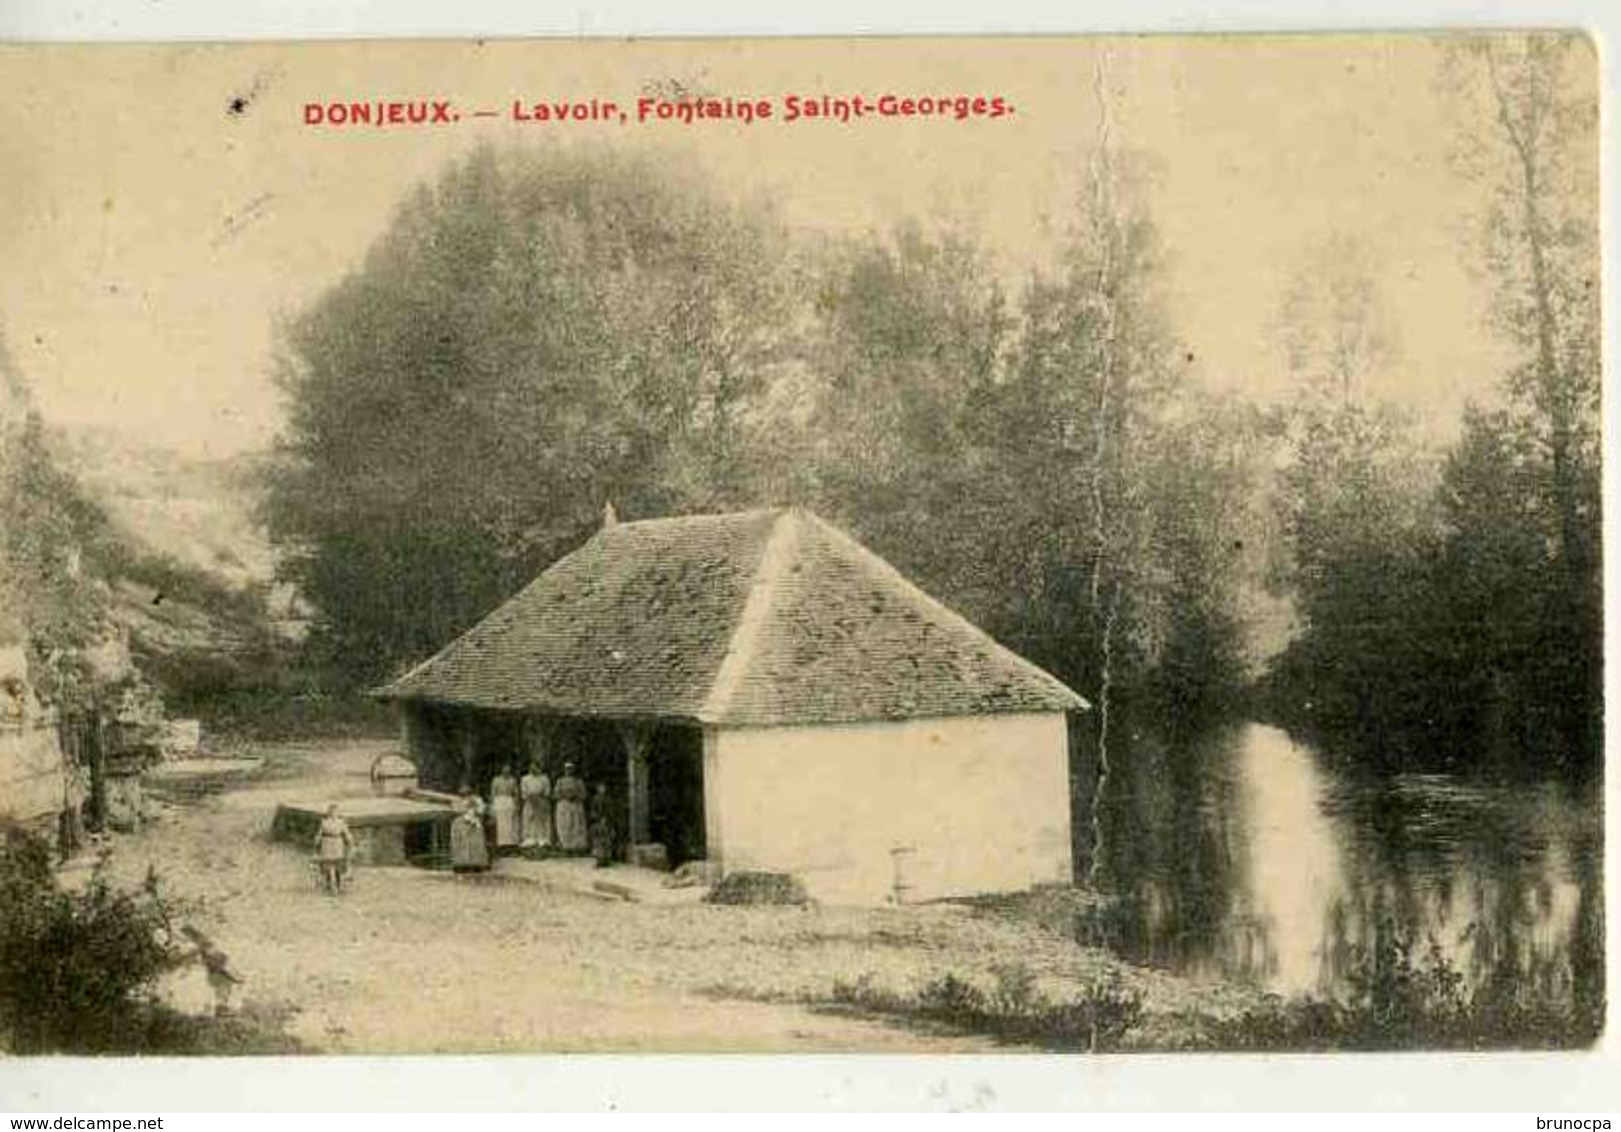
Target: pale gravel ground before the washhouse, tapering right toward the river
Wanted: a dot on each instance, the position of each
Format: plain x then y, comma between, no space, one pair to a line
424,963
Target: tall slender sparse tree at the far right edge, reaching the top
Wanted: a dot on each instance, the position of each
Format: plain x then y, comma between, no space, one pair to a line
1529,142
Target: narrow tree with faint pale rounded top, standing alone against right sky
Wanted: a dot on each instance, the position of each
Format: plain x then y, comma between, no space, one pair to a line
1356,515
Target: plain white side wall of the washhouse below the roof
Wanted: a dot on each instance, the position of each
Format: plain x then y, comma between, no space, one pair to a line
985,802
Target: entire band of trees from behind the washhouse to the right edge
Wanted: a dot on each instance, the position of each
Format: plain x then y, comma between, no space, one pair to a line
550,330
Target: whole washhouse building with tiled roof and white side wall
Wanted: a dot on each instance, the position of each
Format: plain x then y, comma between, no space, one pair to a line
761,692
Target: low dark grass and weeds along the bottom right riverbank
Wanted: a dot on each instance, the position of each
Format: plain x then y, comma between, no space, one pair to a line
1400,997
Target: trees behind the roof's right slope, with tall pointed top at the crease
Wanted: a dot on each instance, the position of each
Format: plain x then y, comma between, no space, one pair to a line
994,448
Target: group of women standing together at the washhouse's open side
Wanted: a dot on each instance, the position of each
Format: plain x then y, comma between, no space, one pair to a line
532,815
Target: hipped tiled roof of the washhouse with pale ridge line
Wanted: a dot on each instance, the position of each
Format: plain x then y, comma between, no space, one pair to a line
755,619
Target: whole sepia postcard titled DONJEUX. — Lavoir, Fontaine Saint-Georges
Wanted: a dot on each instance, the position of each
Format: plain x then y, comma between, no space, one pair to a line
910,546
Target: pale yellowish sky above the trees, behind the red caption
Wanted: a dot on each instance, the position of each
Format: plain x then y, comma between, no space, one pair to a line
163,208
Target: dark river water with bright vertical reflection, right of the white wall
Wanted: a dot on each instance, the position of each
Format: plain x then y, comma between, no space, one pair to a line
1251,855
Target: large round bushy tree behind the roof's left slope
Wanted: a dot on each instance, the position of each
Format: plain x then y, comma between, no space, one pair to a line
537,333
